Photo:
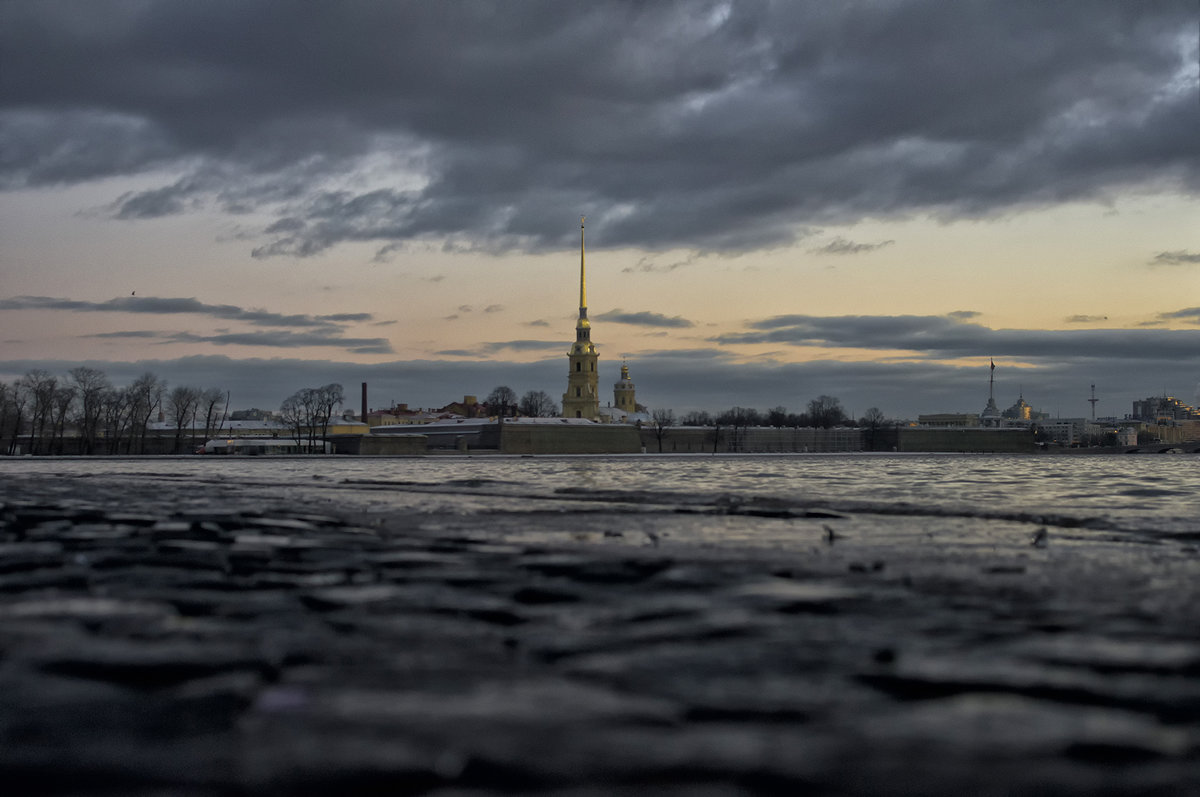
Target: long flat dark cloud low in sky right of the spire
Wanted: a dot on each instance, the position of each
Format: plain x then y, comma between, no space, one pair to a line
940,337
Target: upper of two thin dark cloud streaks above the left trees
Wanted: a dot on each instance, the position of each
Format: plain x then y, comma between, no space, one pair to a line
169,307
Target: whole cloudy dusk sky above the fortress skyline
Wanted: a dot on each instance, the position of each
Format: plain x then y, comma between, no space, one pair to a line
872,201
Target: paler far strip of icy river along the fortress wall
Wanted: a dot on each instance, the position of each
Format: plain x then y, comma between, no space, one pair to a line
1150,494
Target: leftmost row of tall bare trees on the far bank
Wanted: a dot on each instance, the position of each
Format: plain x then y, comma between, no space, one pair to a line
38,410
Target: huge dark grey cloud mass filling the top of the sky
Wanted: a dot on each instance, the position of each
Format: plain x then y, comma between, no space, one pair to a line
695,125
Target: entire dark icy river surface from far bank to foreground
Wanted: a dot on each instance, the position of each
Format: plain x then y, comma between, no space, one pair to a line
601,626
